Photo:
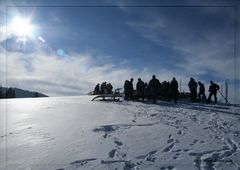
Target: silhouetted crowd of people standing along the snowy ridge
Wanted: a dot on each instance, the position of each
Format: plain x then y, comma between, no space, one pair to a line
155,90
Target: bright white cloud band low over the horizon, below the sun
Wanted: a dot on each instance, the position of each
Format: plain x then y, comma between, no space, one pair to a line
73,75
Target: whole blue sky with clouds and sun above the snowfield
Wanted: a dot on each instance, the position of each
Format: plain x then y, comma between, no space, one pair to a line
70,46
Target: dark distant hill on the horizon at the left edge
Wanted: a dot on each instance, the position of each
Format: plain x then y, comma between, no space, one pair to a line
20,93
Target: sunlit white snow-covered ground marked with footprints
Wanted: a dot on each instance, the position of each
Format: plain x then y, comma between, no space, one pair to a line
64,133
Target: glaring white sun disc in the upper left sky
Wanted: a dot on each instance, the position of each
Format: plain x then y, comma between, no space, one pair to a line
21,27
